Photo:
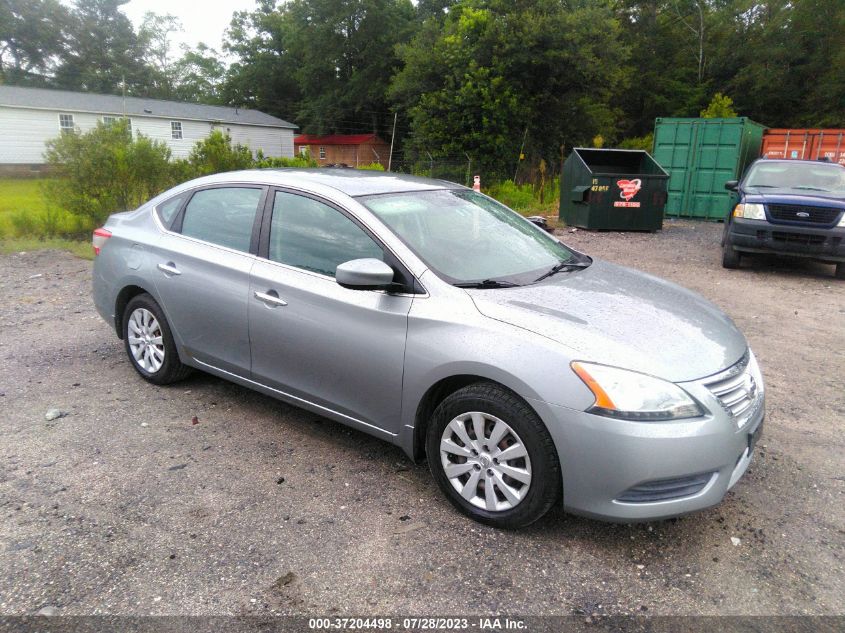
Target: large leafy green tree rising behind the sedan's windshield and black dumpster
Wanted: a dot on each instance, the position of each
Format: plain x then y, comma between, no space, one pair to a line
498,71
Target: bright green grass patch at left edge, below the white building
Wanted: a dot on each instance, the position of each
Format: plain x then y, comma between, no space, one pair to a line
25,212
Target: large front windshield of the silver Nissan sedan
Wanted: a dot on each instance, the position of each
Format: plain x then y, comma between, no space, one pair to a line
465,236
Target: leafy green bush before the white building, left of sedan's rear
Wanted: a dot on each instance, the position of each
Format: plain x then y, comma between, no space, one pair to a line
105,170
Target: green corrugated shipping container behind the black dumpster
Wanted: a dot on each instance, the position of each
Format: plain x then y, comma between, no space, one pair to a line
700,156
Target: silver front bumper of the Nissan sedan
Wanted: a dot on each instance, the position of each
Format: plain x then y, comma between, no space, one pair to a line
606,463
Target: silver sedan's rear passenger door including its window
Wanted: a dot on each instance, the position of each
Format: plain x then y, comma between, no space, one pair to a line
202,273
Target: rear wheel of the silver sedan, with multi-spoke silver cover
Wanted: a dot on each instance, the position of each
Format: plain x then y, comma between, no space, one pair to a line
149,342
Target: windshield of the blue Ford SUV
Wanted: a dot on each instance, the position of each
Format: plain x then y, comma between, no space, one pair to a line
800,175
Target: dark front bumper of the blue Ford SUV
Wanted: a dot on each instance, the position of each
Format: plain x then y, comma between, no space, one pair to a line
762,236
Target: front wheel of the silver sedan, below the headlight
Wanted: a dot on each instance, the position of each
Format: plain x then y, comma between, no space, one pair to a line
493,457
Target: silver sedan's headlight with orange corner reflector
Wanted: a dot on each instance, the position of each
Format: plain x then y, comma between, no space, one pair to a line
629,395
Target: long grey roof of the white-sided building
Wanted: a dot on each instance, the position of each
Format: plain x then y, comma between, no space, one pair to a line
68,101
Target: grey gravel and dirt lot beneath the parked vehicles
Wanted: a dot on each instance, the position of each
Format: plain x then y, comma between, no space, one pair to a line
126,507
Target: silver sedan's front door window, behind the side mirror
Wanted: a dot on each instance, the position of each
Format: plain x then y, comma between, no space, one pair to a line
314,236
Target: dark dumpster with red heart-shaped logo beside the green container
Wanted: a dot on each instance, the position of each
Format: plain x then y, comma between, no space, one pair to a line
612,189
